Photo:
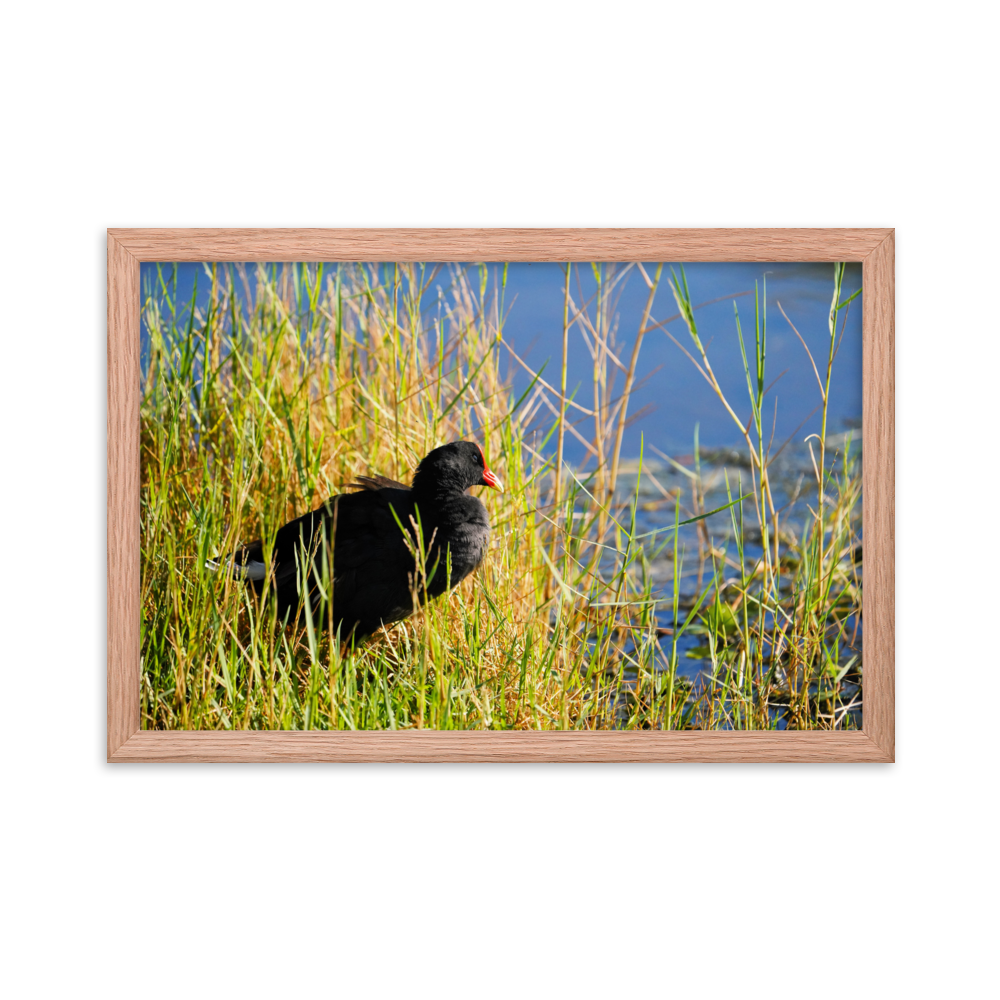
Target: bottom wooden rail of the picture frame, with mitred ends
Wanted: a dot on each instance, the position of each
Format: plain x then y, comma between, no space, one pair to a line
239,747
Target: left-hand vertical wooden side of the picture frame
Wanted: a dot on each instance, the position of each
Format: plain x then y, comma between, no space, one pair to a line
123,495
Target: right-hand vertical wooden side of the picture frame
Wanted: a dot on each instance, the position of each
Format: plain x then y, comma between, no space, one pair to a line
879,611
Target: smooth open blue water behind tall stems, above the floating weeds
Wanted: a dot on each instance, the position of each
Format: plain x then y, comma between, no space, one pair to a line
678,392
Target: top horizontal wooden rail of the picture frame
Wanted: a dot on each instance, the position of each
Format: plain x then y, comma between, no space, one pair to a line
500,244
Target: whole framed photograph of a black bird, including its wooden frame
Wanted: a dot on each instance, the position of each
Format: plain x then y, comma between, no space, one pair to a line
558,555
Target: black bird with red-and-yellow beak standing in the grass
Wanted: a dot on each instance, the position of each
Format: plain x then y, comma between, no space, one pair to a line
372,564
